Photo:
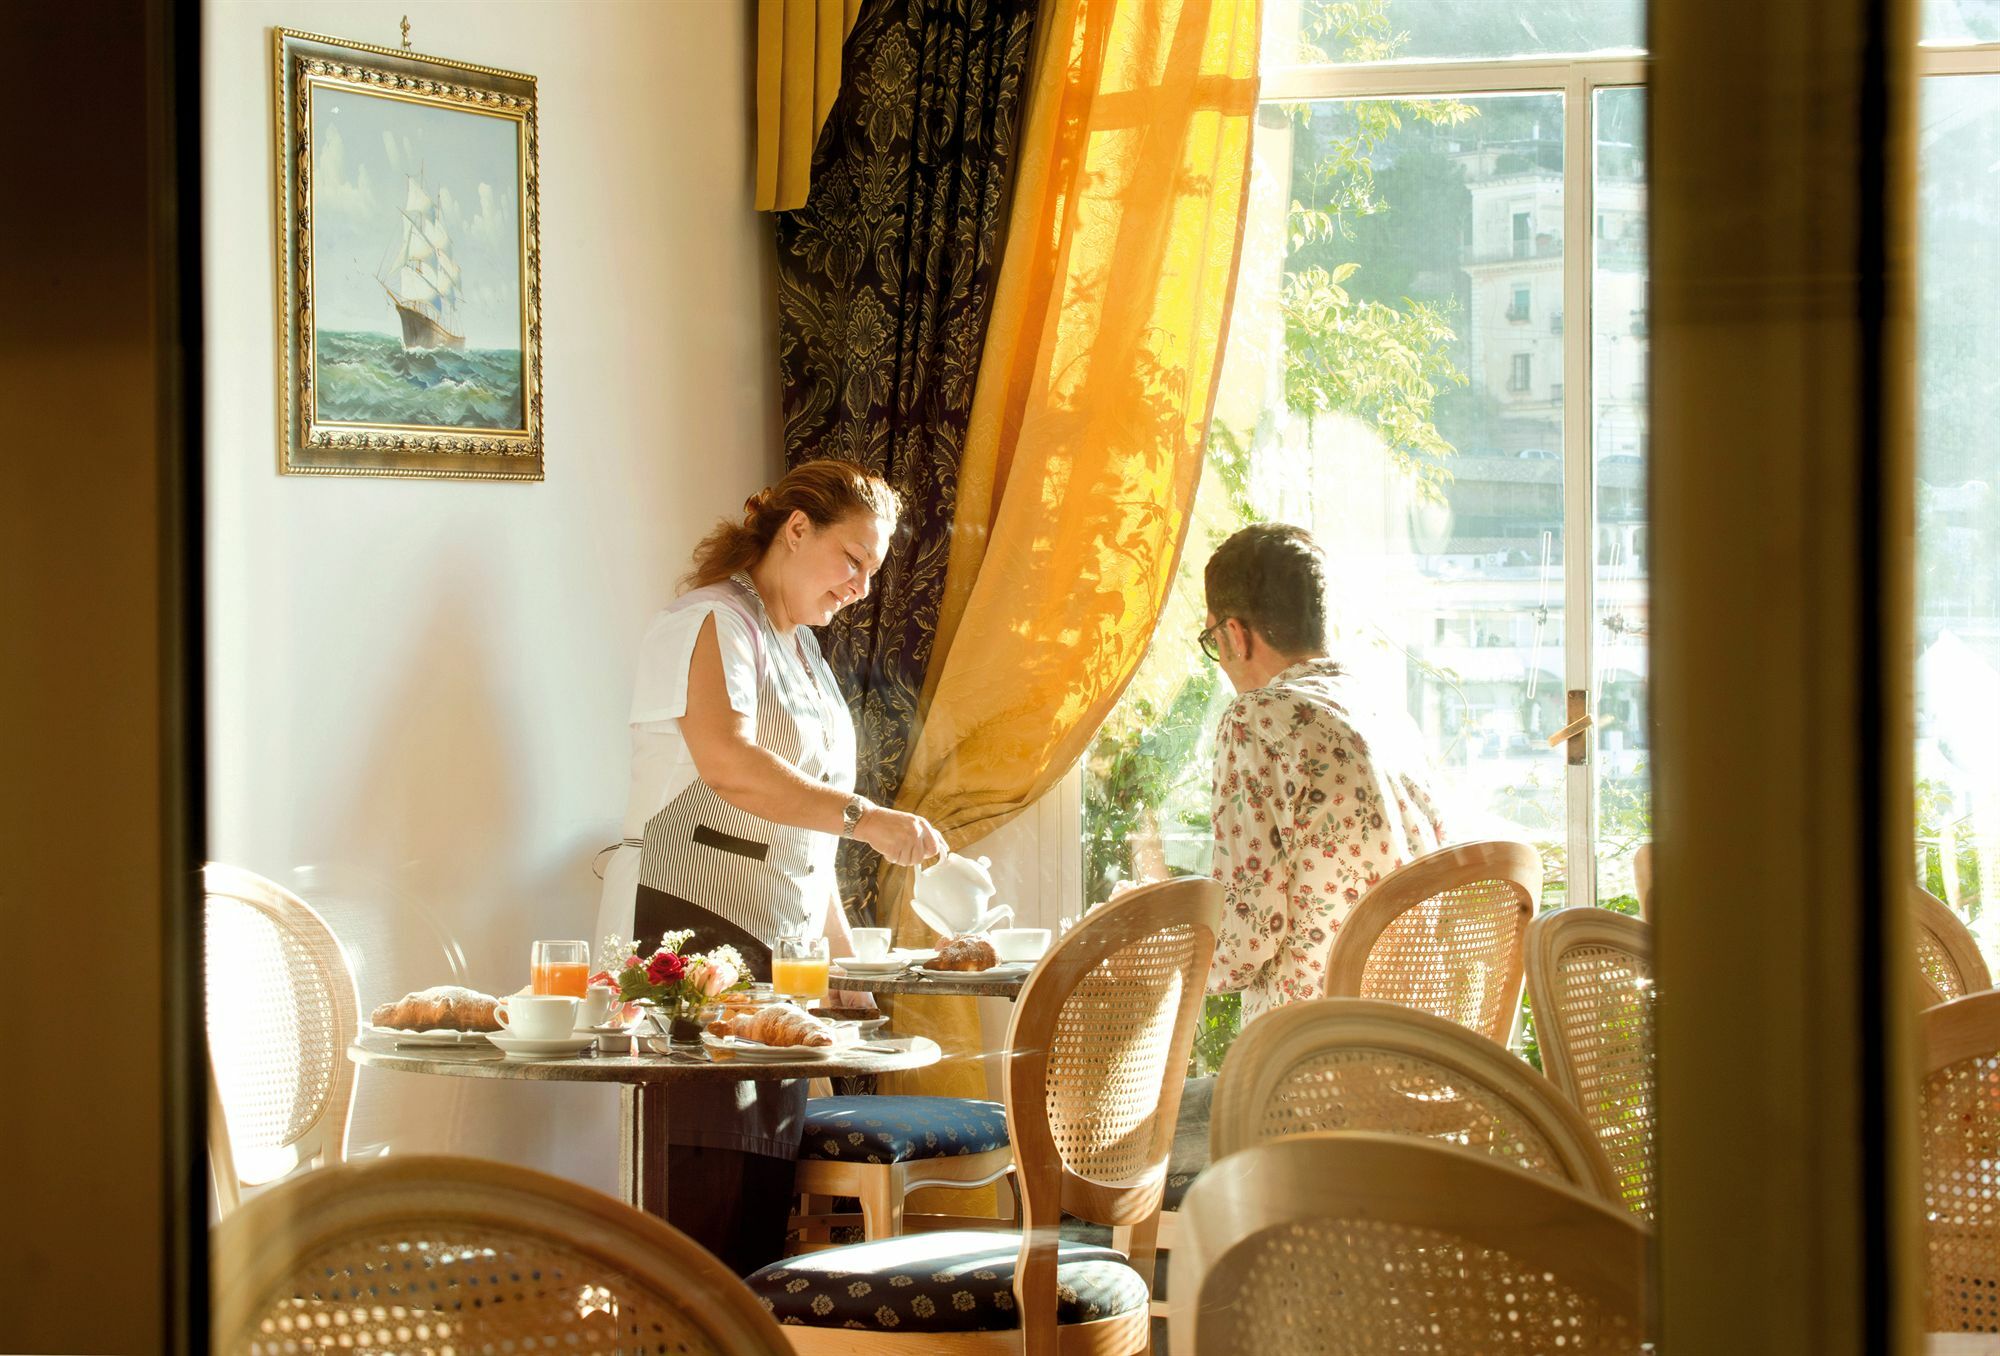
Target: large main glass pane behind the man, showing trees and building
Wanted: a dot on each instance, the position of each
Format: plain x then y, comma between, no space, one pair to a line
1395,385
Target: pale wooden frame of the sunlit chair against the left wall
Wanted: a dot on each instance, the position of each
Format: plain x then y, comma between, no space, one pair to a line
325,1141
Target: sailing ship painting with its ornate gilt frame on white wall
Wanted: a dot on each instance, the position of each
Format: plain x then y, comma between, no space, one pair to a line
409,265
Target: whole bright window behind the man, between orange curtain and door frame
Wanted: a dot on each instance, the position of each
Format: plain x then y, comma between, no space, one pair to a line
1461,517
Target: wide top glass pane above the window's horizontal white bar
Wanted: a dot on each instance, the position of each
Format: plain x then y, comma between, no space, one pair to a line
1311,33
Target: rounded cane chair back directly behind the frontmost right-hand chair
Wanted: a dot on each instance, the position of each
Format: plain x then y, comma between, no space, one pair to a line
1365,1065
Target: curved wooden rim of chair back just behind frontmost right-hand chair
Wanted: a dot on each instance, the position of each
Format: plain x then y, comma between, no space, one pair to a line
1277,1043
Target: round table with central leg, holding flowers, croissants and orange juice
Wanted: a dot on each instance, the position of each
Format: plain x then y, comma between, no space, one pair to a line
645,1085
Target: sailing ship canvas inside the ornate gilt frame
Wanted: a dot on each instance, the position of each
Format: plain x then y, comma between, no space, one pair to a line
419,319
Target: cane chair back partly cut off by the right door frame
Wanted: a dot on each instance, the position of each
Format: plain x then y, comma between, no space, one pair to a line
1593,997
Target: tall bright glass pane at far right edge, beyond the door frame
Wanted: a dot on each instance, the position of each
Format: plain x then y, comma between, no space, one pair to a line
1959,497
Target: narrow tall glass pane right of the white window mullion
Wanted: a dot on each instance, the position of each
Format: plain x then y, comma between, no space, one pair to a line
1621,757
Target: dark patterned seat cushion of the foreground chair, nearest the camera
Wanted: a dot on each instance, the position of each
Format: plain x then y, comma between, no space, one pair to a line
953,1281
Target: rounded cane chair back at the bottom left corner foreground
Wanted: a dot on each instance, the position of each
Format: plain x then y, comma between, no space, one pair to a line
459,1255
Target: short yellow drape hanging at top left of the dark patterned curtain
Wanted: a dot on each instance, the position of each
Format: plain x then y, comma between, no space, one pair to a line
797,81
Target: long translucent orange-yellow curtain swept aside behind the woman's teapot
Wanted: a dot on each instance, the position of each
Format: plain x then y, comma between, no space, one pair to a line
1089,419
